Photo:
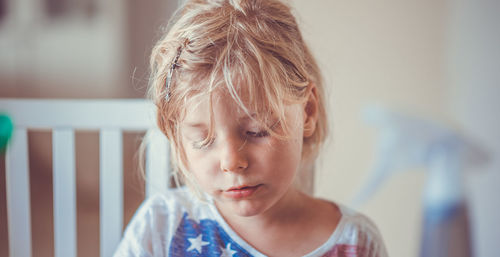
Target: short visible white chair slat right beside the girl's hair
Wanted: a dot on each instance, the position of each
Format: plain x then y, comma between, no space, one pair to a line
157,164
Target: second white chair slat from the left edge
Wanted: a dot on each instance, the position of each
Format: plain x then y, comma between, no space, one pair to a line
64,183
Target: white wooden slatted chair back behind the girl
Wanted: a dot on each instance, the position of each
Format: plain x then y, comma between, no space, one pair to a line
63,117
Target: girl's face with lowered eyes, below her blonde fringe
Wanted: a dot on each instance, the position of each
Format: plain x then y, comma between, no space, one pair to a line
243,168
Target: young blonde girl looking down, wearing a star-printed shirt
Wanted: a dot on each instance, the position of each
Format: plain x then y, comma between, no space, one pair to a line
240,98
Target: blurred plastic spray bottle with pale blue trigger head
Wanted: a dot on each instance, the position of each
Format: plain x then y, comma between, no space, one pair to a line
407,142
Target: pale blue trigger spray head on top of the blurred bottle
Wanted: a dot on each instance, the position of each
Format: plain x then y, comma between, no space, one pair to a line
407,142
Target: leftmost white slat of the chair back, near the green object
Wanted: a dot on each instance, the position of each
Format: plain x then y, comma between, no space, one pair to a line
18,195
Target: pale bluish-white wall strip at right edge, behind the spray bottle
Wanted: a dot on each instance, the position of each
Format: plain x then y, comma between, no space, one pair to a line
474,73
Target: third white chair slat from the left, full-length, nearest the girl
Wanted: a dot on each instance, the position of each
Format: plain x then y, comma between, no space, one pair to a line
111,190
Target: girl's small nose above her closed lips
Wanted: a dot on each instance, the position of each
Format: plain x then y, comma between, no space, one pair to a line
233,156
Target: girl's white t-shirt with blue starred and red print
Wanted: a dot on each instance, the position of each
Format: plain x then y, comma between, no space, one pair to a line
178,224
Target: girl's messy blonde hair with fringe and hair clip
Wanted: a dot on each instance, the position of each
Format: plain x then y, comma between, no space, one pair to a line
250,48
